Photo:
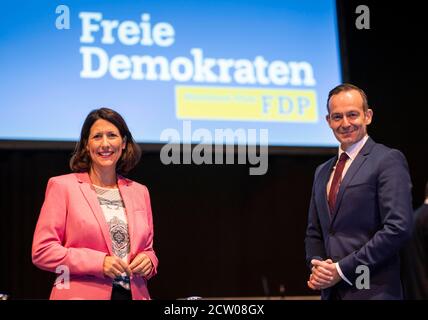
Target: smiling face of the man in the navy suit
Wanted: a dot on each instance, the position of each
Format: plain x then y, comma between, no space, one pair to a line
347,118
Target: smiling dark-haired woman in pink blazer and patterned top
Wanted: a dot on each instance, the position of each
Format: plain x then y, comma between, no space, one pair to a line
95,229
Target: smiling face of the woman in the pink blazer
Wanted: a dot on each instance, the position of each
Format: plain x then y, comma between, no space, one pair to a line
105,145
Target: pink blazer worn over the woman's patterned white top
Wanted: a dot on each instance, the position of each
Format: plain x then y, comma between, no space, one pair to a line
72,234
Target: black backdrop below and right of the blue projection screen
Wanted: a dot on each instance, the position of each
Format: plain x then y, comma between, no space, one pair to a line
218,230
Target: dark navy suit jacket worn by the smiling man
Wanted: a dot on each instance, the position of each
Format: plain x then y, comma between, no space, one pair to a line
371,221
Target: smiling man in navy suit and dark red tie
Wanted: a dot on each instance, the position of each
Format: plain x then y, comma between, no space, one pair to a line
360,212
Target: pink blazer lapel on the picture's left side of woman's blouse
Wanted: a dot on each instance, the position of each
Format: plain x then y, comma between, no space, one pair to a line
91,198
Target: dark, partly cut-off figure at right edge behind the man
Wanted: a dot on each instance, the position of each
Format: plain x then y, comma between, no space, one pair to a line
415,256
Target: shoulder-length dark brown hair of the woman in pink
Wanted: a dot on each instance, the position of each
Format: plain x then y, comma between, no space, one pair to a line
81,161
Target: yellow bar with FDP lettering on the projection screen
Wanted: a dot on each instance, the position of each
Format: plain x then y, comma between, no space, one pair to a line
245,104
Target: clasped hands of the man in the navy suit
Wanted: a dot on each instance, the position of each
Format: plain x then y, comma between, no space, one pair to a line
324,275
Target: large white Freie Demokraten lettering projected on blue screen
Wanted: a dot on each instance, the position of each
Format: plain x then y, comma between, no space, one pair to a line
97,63
